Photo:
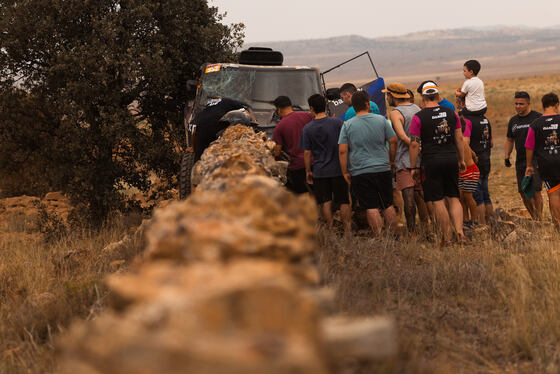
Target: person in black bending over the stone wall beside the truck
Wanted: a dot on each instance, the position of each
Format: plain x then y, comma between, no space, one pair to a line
207,123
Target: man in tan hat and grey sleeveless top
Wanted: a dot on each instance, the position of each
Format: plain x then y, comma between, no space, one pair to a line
401,117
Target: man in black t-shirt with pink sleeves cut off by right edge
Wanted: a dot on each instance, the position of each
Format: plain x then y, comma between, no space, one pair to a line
543,142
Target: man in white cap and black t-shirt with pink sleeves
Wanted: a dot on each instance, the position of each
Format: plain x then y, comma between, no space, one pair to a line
438,129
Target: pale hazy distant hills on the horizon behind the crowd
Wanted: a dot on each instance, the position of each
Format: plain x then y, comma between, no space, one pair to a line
503,52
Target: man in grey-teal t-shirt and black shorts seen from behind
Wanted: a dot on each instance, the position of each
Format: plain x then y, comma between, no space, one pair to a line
366,164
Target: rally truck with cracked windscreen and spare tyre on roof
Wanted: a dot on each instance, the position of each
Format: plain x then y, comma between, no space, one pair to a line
258,79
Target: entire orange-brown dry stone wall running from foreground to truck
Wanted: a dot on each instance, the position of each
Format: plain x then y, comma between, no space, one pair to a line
225,284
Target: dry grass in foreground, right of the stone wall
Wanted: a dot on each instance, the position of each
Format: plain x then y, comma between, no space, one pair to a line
485,307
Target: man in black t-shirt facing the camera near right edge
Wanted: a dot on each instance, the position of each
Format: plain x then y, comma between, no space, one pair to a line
517,135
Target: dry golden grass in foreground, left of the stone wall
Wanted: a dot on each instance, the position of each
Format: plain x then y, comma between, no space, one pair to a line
44,286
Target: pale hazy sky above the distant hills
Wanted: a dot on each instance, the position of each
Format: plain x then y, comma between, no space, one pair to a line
278,20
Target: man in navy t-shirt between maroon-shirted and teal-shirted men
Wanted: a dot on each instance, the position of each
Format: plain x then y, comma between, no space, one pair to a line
320,140
